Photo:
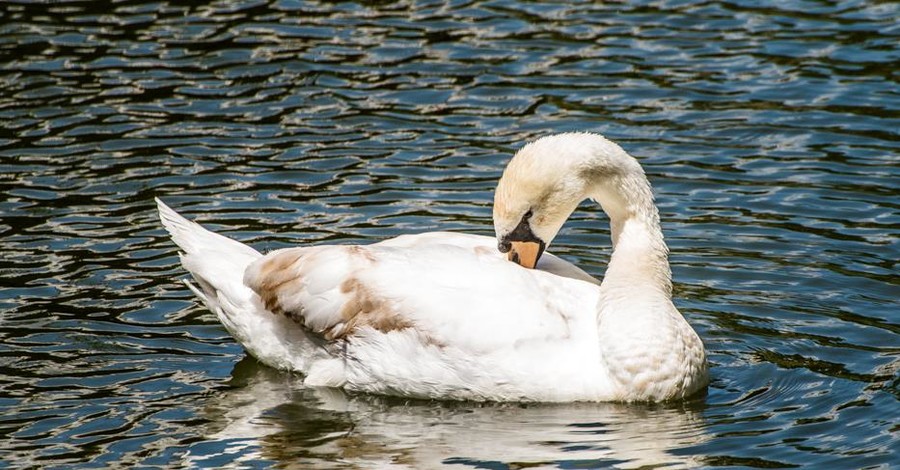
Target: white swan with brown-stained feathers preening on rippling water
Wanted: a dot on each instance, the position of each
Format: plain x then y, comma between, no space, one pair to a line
454,316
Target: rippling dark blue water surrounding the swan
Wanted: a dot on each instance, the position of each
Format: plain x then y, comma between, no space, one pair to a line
770,133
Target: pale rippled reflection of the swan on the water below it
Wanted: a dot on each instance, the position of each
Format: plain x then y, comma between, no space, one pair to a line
274,417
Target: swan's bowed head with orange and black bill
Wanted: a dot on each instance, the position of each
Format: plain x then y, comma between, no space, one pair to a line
541,186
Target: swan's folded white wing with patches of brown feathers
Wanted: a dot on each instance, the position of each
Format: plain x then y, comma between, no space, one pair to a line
449,289
